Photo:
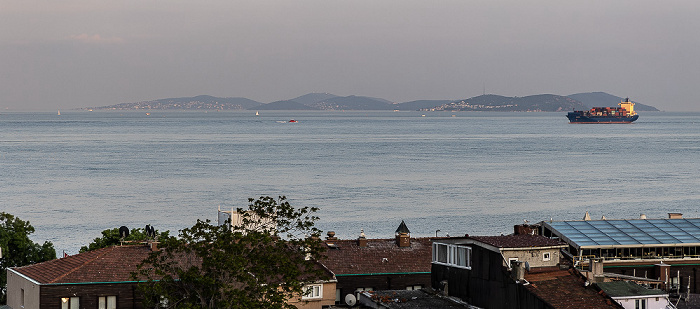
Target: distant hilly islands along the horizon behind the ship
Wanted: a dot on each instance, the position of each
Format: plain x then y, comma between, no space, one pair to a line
327,101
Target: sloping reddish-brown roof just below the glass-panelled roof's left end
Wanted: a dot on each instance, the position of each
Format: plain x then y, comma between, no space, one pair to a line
566,289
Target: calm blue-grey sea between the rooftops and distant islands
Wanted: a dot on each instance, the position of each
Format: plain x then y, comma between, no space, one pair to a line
79,173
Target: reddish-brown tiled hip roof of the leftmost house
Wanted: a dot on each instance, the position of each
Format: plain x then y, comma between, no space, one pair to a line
112,264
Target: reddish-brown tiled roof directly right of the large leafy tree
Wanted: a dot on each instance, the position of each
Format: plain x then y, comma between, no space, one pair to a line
380,256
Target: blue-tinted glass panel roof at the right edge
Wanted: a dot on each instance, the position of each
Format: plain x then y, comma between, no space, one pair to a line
628,233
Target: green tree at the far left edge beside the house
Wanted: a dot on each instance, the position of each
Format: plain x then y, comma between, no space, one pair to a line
18,249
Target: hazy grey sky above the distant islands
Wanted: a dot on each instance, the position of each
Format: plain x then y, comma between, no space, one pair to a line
72,53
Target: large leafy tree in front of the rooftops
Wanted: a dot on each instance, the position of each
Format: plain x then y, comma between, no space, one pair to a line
260,263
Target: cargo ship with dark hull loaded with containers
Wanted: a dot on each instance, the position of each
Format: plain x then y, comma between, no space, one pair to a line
623,114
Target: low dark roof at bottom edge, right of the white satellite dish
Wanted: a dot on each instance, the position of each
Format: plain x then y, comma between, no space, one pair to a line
413,299
